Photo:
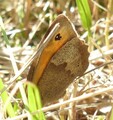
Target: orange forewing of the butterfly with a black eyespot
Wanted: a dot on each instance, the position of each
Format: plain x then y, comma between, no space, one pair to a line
65,33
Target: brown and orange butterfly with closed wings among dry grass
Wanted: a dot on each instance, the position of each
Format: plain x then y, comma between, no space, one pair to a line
63,59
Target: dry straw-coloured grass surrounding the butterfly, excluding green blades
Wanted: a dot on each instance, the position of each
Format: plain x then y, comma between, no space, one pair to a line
25,22
